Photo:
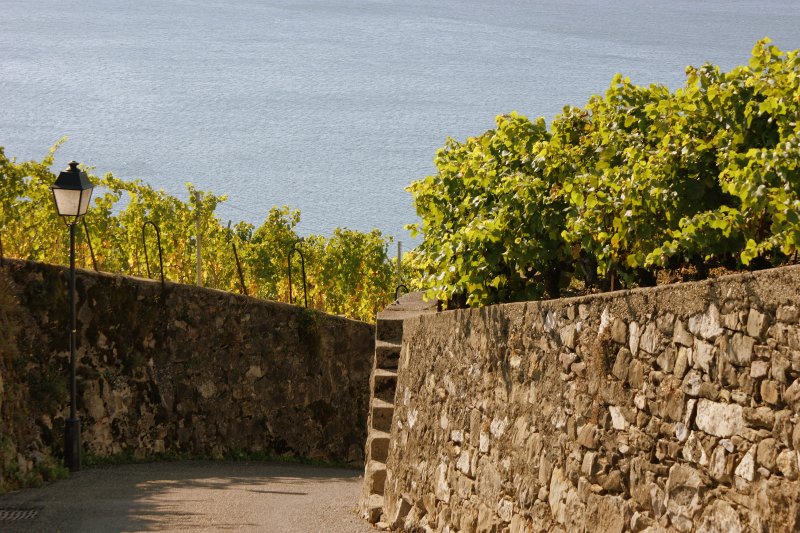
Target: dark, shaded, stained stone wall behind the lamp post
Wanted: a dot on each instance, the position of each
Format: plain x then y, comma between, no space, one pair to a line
183,370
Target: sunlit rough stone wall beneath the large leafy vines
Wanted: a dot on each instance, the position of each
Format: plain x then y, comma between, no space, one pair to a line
674,408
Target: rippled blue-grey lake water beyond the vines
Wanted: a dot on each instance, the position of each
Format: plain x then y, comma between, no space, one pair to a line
330,106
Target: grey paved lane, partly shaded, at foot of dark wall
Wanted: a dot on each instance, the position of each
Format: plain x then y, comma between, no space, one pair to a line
194,496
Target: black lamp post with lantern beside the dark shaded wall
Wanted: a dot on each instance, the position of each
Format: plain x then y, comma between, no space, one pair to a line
72,192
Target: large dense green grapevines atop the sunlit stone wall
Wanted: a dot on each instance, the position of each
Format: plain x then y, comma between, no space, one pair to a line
639,182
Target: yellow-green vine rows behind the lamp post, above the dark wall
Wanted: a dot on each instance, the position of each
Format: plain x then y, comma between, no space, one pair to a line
348,273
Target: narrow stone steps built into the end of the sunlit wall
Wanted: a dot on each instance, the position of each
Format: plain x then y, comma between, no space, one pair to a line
383,385
